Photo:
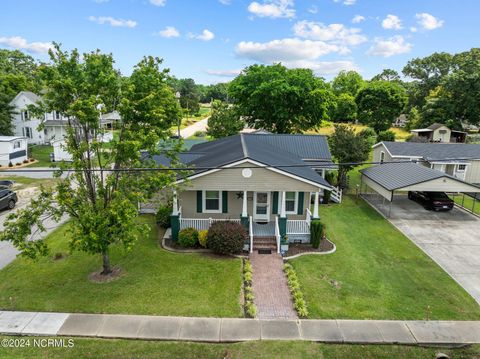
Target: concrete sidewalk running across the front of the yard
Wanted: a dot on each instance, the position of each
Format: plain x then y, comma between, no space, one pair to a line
237,330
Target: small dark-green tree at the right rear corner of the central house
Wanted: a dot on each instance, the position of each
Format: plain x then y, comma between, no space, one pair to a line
348,148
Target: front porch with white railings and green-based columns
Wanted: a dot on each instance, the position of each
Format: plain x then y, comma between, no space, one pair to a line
282,216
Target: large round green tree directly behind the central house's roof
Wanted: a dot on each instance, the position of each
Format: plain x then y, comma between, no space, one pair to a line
281,100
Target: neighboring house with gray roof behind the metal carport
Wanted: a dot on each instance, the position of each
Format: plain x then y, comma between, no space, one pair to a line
459,160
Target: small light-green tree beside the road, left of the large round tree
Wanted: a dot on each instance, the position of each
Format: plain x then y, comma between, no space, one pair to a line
224,120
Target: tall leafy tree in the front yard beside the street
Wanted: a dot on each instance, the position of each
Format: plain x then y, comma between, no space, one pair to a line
101,193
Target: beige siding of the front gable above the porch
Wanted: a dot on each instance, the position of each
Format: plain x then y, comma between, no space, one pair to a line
261,180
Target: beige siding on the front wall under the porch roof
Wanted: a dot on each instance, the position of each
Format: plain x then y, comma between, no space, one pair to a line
188,202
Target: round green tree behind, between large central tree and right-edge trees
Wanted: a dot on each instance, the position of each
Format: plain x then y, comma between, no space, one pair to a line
379,103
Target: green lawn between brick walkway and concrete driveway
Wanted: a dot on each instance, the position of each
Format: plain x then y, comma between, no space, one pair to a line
377,273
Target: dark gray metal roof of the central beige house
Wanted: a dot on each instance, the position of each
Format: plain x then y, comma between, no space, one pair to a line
213,154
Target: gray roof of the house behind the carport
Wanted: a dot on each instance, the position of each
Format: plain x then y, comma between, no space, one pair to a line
434,151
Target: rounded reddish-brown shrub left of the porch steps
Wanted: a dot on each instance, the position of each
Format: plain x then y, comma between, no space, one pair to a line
226,237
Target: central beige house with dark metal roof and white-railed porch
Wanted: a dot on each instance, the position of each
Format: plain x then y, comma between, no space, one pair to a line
263,181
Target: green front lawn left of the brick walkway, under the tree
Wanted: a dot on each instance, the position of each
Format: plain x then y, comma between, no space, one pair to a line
154,282
